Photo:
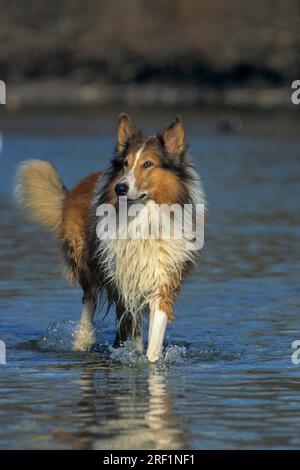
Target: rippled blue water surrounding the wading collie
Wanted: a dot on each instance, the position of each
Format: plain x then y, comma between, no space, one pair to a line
226,379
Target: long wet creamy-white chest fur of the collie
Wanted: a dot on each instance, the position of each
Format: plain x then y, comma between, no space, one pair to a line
138,265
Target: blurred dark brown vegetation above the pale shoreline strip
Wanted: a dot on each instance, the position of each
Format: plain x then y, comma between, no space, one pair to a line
216,43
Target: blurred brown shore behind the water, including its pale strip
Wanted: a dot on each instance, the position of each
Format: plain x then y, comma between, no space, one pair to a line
147,52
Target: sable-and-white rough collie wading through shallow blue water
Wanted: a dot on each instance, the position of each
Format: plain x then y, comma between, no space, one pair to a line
139,273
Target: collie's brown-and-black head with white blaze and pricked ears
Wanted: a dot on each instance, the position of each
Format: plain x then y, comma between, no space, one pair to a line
150,168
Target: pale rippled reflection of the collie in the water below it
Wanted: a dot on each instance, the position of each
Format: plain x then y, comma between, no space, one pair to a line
128,410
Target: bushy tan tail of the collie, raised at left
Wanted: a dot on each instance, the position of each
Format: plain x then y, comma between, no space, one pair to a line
40,192
